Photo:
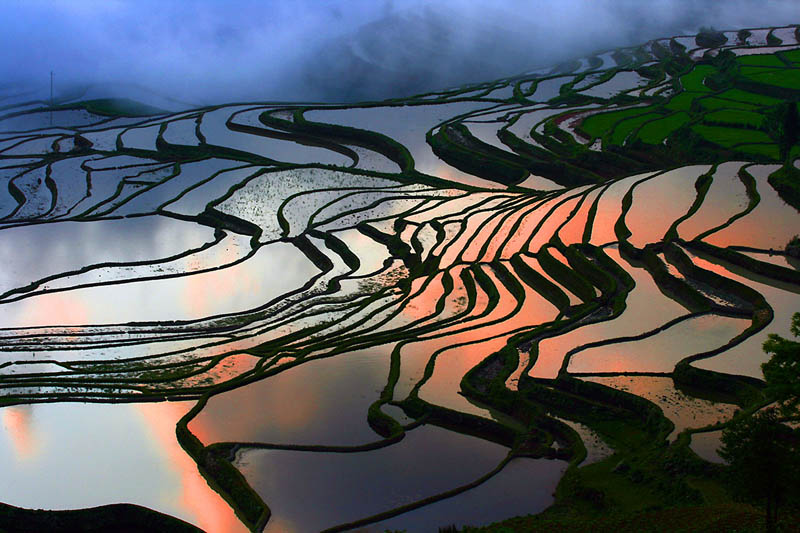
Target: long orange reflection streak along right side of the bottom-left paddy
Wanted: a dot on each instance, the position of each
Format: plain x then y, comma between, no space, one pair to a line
211,513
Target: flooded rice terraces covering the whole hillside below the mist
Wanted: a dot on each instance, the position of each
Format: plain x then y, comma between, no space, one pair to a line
543,295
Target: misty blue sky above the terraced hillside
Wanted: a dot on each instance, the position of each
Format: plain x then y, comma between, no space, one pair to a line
207,51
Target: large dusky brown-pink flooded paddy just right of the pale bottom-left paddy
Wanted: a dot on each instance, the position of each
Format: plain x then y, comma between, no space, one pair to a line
317,401
